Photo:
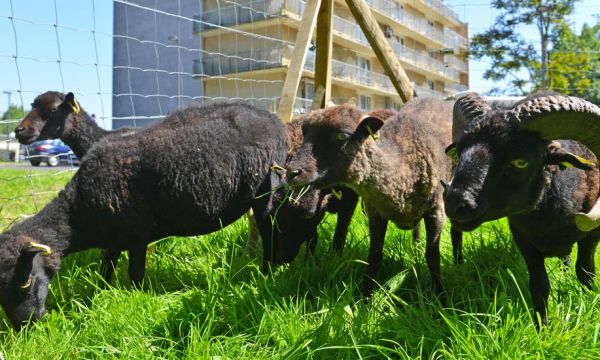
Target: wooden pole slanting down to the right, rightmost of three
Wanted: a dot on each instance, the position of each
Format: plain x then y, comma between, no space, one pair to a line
362,13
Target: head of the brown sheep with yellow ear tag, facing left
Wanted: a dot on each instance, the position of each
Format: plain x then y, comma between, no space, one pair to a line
331,139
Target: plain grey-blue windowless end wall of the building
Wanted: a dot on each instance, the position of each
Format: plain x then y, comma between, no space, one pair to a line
154,49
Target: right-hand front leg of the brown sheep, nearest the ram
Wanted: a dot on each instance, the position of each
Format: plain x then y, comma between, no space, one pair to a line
434,223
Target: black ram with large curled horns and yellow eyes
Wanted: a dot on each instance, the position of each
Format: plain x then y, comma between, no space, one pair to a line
509,165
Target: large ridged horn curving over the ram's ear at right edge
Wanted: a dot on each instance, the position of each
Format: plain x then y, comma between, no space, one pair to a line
562,117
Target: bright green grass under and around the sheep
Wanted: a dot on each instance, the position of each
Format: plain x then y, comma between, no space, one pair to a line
204,297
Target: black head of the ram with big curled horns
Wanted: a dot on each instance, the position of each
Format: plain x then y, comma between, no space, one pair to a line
501,154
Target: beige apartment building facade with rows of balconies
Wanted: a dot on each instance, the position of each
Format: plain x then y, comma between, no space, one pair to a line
248,45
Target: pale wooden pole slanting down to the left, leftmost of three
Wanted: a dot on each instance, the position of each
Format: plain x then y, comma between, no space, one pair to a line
292,78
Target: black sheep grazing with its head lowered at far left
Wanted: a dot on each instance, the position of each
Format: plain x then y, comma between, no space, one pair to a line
193,173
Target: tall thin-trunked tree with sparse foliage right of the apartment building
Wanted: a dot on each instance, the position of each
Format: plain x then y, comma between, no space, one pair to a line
510,53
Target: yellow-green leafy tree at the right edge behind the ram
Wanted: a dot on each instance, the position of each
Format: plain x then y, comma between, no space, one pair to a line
575,63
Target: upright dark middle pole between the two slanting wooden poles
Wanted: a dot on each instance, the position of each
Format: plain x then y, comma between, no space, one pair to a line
324,44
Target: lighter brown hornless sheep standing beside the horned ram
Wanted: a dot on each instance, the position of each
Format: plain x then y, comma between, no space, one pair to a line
396,166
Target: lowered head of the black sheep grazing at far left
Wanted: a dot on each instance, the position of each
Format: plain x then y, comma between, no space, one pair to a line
26,268
